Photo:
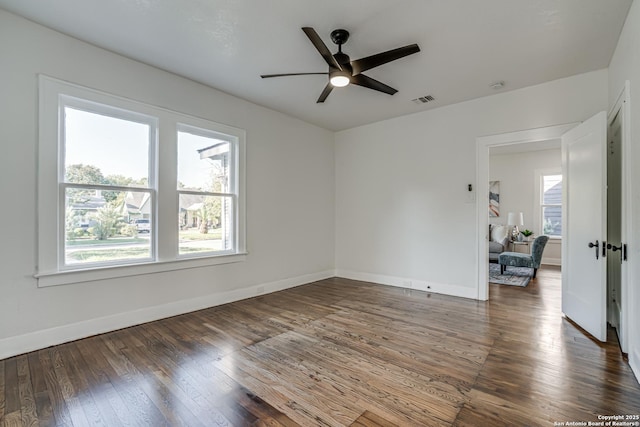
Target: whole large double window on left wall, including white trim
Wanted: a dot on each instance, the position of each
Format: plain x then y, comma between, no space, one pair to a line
127,188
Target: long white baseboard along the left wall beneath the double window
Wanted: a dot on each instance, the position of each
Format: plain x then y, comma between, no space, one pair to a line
25,343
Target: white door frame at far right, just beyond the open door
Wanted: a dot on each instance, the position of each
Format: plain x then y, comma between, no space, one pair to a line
621,107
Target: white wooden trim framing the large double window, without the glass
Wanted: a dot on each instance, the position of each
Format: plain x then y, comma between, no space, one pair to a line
48,268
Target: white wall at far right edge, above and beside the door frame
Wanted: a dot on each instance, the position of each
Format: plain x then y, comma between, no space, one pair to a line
625,65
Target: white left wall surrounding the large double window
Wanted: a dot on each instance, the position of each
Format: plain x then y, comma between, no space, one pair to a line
290,196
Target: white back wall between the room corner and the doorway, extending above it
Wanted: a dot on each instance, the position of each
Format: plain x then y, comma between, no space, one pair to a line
402,213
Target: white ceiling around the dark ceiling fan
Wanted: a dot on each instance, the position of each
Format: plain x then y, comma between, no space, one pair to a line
466,45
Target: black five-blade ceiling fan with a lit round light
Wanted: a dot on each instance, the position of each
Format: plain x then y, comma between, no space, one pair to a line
343,71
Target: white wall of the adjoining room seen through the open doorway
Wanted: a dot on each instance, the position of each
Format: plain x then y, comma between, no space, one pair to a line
517,175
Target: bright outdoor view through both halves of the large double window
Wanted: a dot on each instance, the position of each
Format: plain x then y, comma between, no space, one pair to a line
109,190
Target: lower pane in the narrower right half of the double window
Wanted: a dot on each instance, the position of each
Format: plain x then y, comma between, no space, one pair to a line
205,224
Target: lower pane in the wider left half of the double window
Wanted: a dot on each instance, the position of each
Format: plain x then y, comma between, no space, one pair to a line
106,225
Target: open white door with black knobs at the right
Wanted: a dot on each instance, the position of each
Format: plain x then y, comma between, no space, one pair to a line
584,297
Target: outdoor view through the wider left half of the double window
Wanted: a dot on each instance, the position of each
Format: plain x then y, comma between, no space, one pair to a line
106,188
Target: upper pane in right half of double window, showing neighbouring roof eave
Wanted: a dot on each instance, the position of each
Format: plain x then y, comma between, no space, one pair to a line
203,163
